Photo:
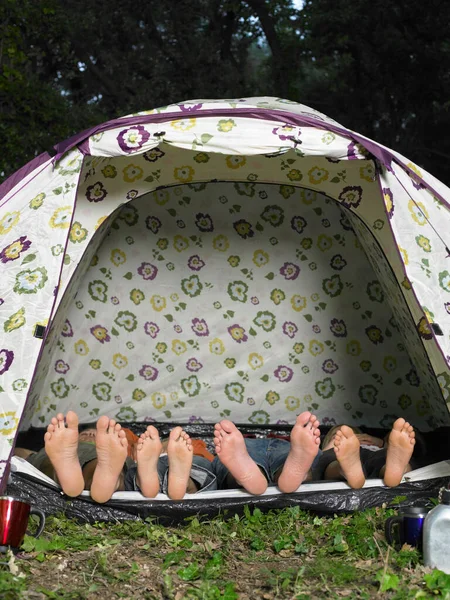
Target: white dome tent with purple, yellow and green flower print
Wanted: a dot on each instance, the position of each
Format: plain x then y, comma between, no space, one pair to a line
244,259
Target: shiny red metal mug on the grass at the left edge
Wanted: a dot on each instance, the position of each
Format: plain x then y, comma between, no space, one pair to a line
14,514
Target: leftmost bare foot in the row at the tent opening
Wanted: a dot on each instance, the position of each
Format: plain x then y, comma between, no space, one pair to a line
61,445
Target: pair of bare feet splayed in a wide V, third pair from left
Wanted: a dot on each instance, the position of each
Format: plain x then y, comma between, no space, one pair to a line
232,451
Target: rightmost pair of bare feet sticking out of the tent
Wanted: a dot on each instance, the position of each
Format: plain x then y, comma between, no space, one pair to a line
400,447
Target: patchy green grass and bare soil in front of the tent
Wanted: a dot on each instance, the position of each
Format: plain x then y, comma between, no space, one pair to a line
286,553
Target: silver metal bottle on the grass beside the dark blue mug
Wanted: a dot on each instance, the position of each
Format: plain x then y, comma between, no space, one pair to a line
436,534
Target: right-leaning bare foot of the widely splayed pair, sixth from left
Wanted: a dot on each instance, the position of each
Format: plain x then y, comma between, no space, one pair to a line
305,441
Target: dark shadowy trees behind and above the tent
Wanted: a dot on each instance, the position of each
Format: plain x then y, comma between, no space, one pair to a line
382,69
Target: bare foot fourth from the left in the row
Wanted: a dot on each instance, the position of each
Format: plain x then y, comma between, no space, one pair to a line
180,454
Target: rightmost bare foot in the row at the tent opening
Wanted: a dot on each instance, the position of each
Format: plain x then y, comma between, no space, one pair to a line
399,451
